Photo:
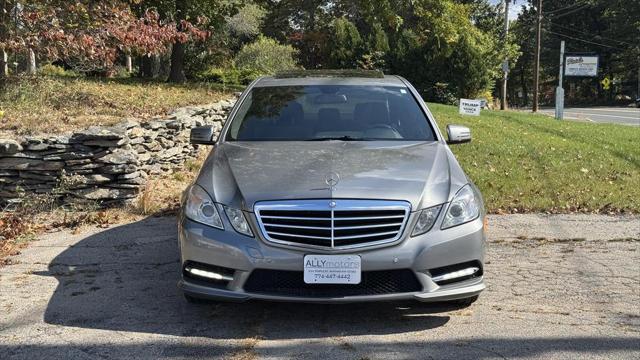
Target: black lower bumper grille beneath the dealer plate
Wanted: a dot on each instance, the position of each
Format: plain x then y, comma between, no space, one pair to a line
291,283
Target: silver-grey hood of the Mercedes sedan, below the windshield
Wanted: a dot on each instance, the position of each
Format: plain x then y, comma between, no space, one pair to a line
243,173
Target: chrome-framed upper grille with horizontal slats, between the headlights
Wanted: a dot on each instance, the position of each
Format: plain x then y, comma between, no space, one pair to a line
332,224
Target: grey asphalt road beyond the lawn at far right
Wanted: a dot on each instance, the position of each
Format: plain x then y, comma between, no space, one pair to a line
613,115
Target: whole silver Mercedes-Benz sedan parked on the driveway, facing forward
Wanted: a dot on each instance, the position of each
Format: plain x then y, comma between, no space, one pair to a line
331,188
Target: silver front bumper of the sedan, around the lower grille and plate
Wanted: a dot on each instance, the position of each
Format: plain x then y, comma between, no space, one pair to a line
435,249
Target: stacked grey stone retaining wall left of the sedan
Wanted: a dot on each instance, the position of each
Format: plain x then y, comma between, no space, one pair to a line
102,164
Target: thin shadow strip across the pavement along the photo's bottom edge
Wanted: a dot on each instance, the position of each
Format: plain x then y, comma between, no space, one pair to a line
484,348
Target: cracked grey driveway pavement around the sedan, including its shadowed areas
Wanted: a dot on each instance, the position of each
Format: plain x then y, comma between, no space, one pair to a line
559,287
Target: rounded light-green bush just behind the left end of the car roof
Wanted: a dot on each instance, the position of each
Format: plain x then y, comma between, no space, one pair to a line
266,57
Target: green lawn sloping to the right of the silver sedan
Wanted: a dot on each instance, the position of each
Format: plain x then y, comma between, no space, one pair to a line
534,163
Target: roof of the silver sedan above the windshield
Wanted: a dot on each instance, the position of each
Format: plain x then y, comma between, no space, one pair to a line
317,78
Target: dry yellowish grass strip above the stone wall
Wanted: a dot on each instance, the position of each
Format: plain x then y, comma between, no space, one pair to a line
51,104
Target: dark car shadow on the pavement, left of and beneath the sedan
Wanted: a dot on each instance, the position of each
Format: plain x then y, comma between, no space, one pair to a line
125,279
